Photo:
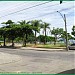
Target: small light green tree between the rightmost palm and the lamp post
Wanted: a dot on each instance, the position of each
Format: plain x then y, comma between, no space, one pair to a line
57,33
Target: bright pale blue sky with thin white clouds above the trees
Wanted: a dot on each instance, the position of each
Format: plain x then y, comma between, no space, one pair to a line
39,10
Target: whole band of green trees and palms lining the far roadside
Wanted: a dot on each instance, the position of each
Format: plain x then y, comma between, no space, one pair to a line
26,32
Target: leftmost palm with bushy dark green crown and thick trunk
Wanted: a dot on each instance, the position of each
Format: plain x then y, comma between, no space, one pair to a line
26,29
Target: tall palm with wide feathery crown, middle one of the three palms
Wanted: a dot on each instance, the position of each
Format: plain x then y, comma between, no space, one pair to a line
36,27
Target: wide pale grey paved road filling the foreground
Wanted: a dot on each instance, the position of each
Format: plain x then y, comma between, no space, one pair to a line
29,61
